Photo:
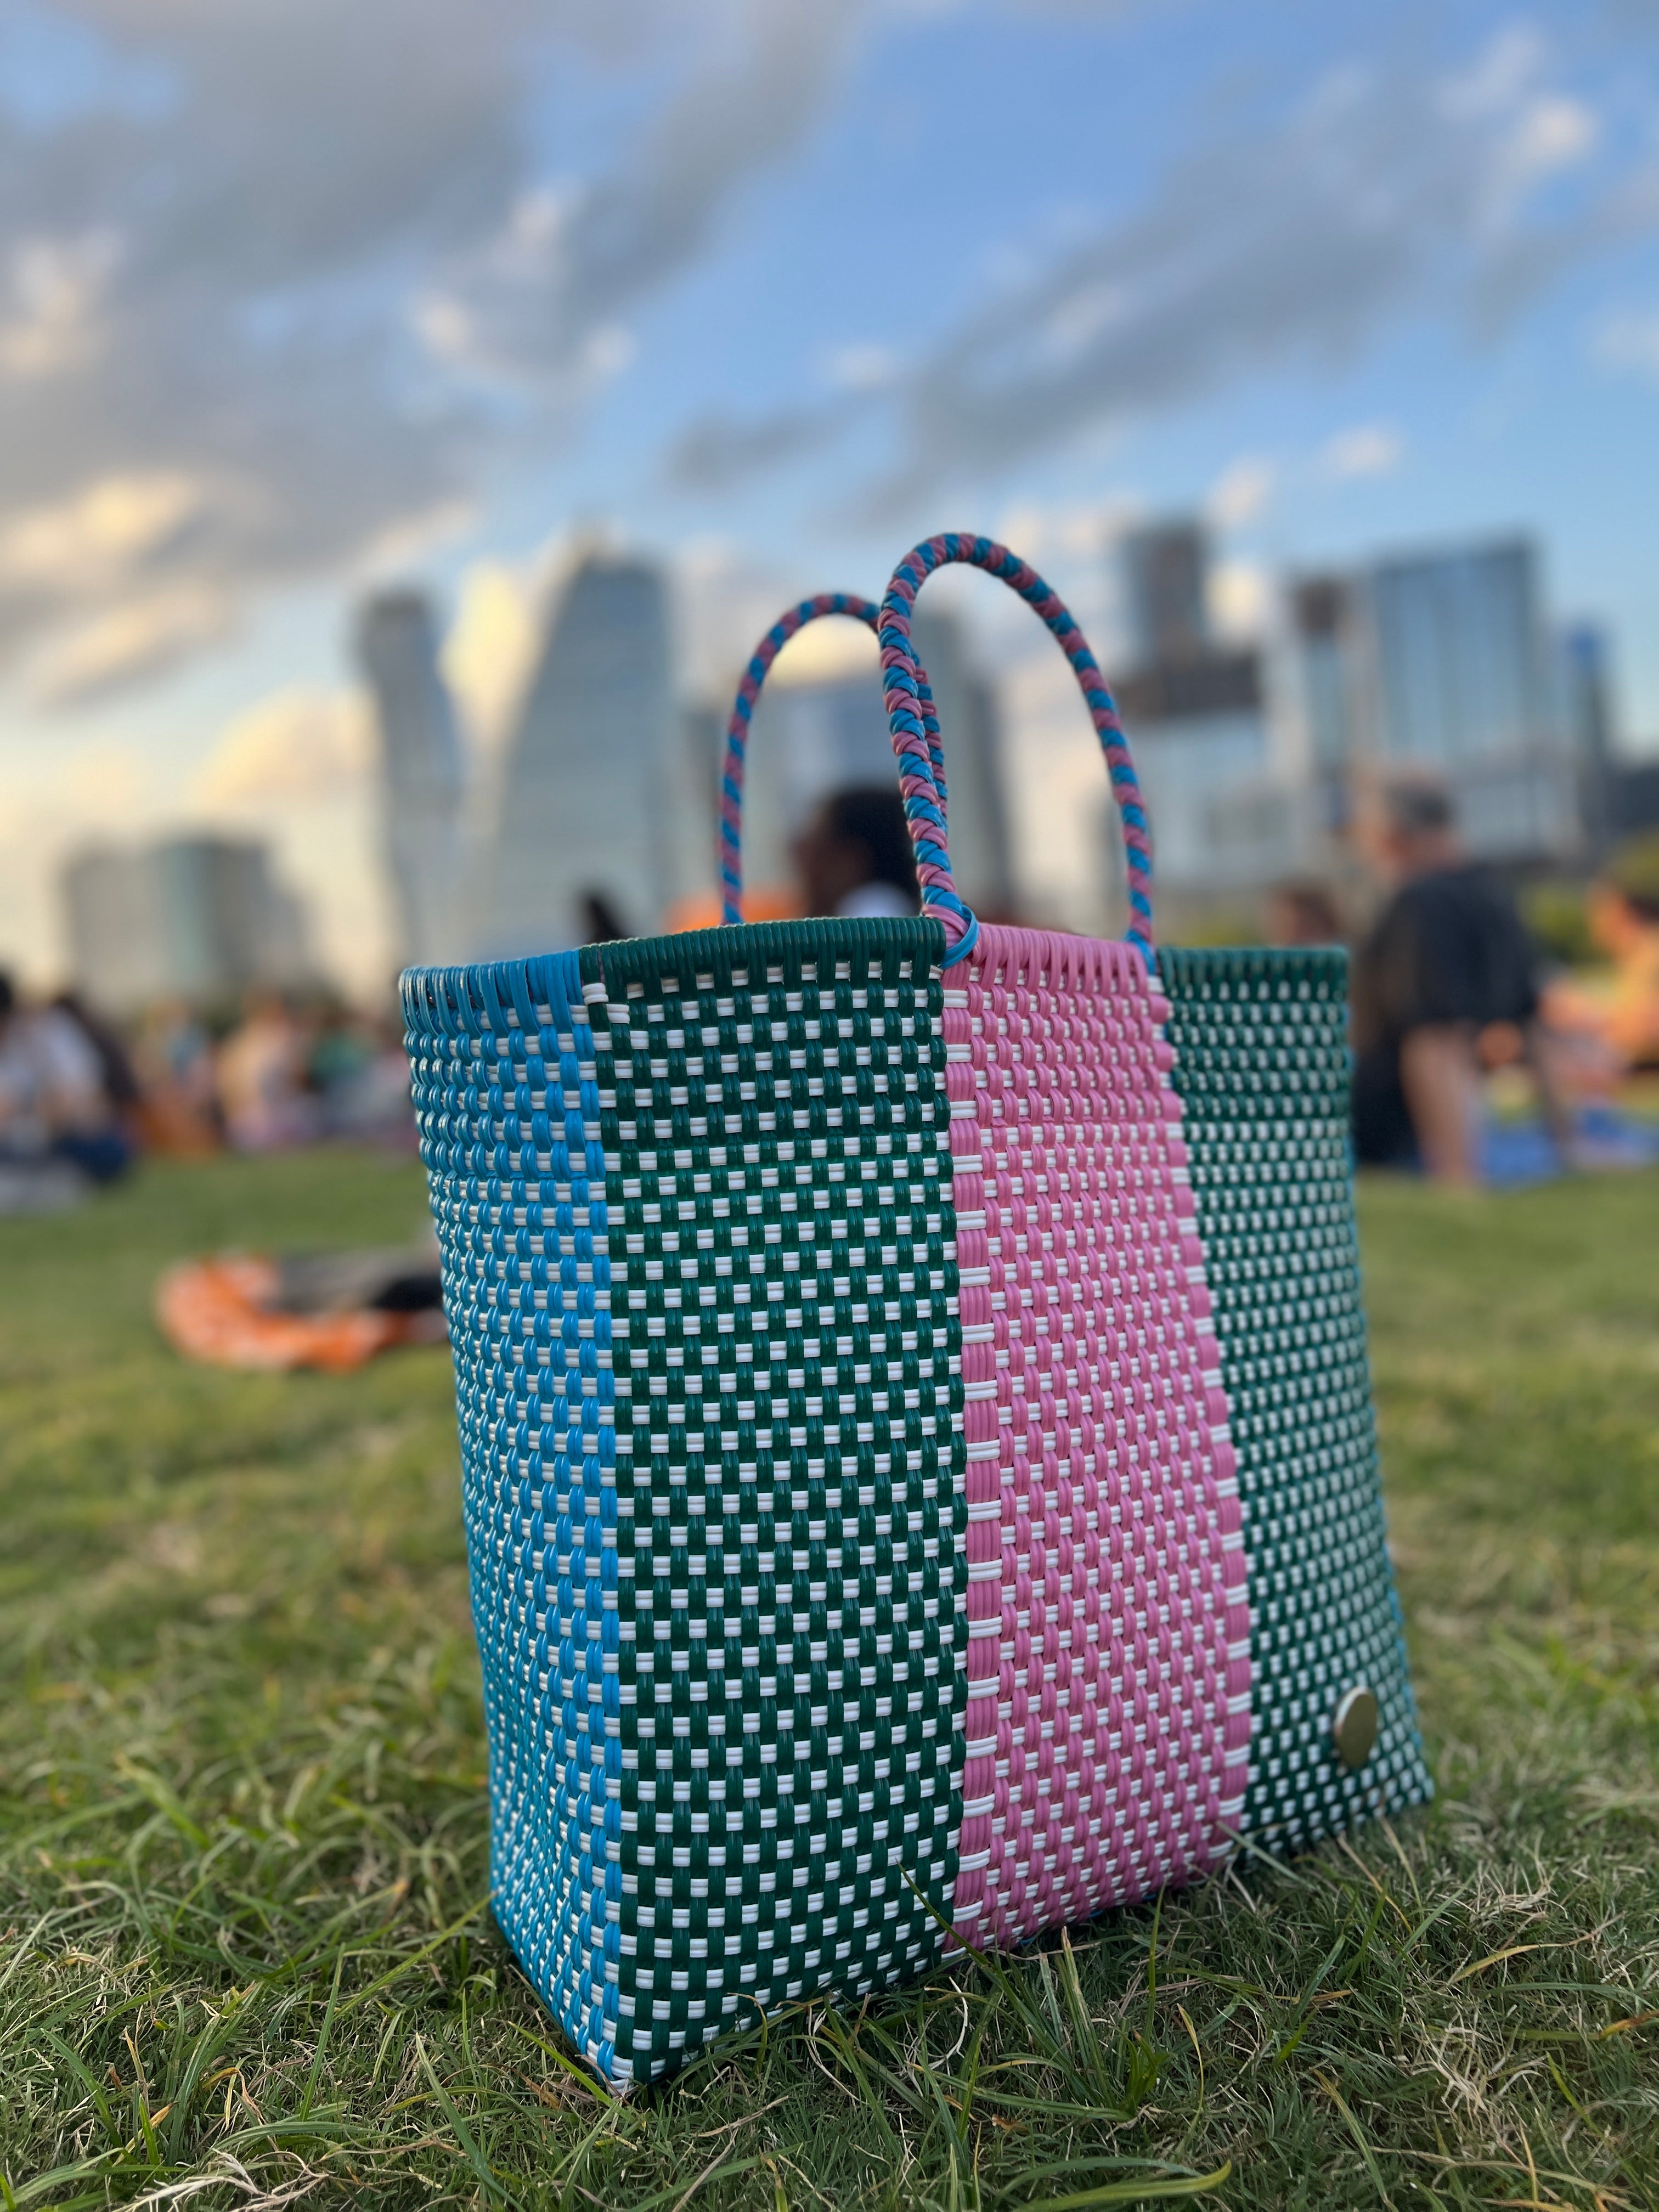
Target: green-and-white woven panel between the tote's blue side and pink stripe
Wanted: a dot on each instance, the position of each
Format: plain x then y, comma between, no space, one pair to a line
791,1525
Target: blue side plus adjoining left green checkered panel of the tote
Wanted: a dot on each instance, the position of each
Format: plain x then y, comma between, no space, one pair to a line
696,1218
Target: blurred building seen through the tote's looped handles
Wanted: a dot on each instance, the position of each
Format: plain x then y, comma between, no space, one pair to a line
831,733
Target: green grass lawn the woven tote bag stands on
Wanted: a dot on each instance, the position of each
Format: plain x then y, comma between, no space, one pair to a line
247,1954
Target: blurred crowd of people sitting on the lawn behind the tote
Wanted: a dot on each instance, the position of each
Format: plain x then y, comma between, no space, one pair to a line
1446,990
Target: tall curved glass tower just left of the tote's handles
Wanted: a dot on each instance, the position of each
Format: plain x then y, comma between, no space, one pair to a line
585,789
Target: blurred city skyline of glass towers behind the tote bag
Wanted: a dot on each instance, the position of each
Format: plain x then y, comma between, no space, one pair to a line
594,811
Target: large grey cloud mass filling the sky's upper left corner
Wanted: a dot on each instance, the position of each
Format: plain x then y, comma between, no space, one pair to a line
328,271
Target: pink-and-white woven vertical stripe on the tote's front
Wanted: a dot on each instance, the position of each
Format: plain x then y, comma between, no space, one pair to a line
1109,1638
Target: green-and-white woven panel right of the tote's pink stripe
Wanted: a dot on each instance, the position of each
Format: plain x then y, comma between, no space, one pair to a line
1264,1078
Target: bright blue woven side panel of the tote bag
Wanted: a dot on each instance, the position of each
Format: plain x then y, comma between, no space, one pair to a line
505,1092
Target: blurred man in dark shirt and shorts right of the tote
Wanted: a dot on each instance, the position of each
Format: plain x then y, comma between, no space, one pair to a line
1446,966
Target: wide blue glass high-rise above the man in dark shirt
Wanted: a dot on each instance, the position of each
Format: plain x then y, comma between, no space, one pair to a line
1446,662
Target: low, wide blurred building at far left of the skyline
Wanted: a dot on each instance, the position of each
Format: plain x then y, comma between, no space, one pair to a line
191,917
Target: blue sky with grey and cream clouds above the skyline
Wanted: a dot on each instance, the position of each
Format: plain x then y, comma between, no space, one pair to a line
302,295
